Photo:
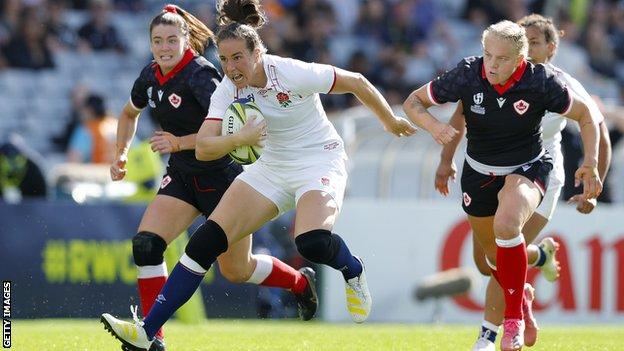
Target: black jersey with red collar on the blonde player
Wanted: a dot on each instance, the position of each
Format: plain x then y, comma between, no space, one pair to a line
503,123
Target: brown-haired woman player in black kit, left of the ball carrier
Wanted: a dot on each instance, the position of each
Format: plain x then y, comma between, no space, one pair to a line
176,87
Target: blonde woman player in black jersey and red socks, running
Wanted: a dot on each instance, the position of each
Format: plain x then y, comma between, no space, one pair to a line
507,169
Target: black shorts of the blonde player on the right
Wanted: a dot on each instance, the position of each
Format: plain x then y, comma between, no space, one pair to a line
480,191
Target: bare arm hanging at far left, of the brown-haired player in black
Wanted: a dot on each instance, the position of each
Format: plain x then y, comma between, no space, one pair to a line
126,128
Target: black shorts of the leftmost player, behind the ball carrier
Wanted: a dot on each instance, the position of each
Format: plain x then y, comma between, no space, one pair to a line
203,191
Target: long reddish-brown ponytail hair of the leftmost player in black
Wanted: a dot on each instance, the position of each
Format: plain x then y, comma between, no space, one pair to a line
193,29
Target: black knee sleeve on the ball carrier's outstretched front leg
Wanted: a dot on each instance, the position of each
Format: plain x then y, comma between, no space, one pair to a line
206,244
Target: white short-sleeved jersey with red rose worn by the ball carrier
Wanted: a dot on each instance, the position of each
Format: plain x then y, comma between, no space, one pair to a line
297,126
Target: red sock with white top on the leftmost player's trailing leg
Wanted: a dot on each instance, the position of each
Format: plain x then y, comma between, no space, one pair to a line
272,272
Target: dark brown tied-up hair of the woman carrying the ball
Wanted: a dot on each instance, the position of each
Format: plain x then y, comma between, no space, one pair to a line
239,19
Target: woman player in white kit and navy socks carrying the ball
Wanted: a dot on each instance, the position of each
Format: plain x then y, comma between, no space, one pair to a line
302,165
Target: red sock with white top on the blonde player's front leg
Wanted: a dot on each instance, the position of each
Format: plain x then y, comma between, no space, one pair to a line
511,267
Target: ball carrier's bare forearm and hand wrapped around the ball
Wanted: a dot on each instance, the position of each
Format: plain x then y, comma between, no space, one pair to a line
211,145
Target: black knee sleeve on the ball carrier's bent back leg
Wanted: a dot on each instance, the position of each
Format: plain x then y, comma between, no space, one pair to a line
317,245
